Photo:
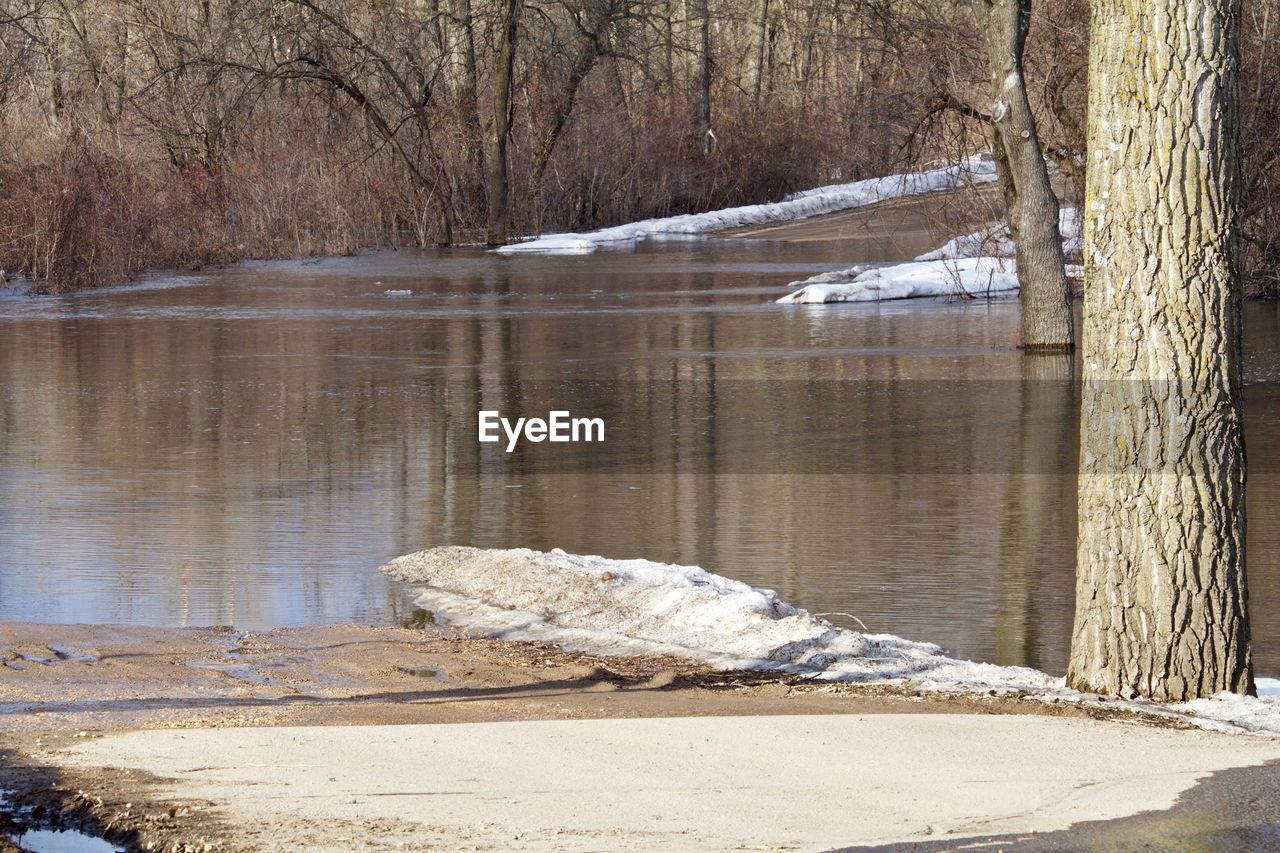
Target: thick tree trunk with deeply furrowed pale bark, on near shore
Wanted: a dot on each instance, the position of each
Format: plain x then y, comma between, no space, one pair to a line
1162,605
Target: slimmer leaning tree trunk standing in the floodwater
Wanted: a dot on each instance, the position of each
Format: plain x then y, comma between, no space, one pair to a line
1030,200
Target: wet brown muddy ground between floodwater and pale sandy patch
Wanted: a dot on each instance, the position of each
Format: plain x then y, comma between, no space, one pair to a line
81,685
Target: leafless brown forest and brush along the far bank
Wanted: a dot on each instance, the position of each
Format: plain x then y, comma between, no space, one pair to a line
161,134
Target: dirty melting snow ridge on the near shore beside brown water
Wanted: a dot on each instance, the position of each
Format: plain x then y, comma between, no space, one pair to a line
601,606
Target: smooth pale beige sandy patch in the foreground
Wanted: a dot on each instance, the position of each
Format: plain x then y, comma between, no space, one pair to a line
808,783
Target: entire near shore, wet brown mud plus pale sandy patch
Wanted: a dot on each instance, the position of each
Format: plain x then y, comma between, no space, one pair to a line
323,737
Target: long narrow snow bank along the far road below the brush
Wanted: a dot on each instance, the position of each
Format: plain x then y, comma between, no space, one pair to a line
811,203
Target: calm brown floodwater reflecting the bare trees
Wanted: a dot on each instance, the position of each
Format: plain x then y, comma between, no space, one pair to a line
248,446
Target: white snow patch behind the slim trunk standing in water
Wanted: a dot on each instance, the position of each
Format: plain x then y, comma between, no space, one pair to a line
977,264
